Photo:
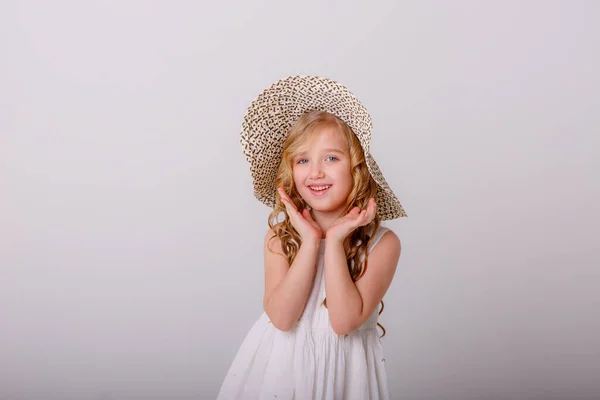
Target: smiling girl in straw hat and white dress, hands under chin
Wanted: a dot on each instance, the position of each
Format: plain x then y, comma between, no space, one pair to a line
327,260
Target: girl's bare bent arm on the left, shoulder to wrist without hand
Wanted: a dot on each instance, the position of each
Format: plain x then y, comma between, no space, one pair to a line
287,287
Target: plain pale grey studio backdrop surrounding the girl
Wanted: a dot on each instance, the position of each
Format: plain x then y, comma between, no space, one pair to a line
131,243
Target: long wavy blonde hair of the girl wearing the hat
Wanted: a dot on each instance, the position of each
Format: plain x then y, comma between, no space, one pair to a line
364,187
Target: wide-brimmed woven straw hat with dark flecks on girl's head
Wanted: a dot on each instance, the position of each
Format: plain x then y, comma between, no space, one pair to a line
271,115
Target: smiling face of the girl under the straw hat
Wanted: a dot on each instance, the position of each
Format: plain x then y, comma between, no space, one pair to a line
321,171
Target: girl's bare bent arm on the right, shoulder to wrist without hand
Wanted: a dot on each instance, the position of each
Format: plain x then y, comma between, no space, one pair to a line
351,303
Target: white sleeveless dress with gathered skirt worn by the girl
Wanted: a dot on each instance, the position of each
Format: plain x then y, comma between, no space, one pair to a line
310,361
